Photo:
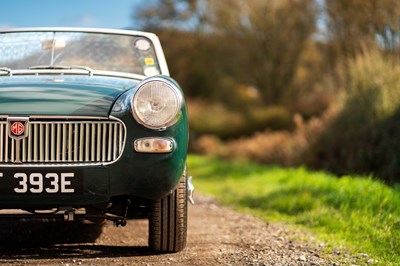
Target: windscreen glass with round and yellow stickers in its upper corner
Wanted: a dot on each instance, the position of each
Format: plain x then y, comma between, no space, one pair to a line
99,51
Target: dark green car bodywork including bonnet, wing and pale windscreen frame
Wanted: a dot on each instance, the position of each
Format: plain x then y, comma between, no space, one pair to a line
70,95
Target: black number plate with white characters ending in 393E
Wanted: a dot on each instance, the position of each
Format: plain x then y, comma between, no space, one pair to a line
47,181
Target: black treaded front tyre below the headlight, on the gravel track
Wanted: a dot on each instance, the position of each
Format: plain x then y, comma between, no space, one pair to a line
168,221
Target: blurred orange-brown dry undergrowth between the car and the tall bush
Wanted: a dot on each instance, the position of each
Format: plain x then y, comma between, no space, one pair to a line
271,147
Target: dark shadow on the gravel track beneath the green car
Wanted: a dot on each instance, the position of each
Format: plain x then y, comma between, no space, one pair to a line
53,240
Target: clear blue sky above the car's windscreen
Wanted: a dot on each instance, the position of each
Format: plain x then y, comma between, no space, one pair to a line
68,13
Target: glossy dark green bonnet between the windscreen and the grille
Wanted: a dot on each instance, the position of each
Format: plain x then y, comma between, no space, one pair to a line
61,95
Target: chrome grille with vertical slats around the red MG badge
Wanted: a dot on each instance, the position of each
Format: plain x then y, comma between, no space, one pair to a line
64,142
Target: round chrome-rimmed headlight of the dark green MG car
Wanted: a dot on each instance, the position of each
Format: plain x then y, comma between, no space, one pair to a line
140,116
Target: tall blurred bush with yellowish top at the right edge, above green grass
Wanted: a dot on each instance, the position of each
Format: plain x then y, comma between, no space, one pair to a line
364,138
